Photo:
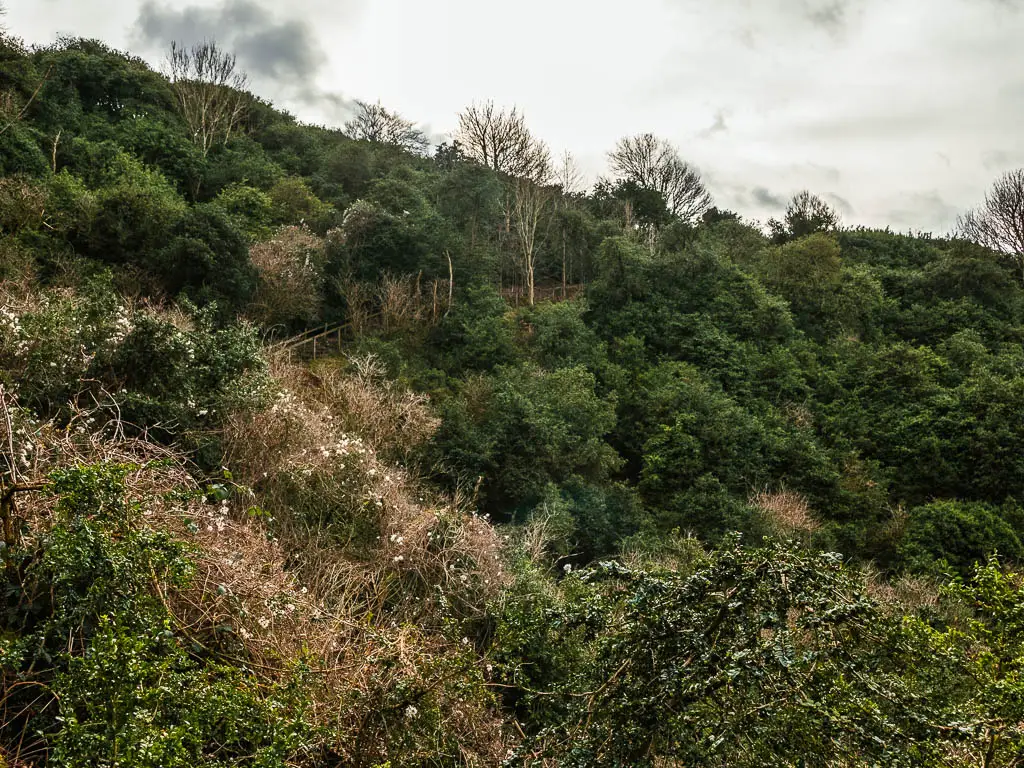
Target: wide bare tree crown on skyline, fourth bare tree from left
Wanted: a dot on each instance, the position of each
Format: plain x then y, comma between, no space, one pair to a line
655,164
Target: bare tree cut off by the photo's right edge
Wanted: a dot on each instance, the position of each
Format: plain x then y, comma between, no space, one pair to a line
999,223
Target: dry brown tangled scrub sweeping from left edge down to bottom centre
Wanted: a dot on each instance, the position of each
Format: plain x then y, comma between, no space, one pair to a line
390,674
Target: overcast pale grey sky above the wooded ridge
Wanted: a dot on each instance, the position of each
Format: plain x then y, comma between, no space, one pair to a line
901,112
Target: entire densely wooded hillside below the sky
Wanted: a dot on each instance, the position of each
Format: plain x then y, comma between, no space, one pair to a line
574,478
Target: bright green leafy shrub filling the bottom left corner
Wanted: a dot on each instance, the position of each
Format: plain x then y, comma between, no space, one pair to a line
105,675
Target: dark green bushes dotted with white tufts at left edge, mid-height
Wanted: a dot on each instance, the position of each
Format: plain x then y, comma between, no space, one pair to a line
168,380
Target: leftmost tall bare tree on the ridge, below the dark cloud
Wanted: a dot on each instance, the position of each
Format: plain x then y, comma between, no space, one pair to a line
210,92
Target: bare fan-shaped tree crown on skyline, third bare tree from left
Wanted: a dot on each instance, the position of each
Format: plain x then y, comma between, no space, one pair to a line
501,141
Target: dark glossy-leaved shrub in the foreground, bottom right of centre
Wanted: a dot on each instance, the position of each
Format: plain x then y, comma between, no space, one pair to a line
753,658
